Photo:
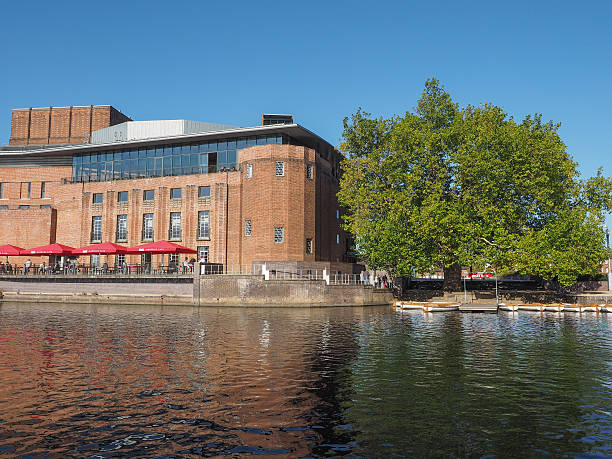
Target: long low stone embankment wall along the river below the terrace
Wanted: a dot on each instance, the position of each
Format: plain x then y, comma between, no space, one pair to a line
207,290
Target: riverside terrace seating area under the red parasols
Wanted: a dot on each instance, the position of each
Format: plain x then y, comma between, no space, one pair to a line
58,259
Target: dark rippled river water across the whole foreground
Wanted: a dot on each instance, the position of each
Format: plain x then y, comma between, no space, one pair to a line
111,381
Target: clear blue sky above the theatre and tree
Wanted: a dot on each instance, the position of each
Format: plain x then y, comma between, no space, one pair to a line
231,61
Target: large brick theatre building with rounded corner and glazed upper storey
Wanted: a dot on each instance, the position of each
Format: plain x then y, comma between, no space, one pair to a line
238,195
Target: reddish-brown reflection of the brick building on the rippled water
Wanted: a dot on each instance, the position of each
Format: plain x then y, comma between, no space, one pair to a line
206,380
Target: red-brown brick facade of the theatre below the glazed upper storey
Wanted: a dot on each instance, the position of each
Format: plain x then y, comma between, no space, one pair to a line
306,208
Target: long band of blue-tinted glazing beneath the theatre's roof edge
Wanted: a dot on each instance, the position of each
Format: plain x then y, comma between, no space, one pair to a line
160,160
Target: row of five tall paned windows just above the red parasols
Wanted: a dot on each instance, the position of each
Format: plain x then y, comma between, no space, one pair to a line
147,233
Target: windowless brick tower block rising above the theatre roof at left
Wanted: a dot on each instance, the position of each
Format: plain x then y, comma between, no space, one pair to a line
60,125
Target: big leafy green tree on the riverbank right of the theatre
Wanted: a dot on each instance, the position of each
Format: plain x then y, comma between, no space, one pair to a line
446,186
